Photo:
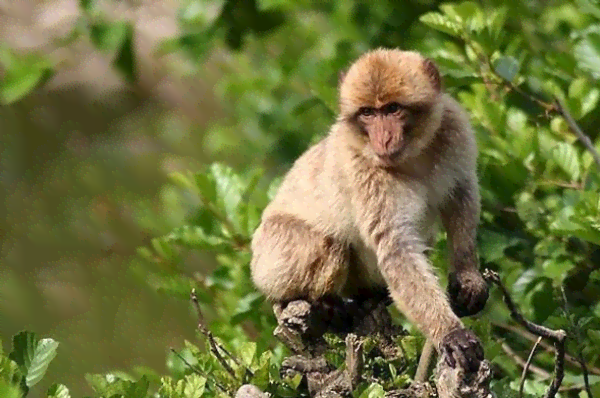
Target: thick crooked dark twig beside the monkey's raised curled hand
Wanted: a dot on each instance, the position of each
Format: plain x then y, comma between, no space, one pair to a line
558,337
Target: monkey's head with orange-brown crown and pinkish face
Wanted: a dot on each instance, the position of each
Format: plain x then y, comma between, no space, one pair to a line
391,101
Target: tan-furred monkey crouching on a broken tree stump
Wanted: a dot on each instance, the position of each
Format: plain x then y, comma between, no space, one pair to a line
355,213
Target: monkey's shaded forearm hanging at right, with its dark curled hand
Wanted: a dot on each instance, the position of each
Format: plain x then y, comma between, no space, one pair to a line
467,290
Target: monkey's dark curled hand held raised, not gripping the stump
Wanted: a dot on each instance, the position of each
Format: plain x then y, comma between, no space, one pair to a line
468,292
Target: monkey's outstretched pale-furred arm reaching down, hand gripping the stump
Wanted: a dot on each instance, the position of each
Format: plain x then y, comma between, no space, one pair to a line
388,223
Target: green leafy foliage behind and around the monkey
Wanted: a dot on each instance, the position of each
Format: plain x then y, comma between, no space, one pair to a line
506,61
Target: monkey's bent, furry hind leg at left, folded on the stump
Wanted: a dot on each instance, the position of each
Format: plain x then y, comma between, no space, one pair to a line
294,261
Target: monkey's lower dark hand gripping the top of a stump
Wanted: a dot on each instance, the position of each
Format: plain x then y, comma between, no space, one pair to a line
462,346
